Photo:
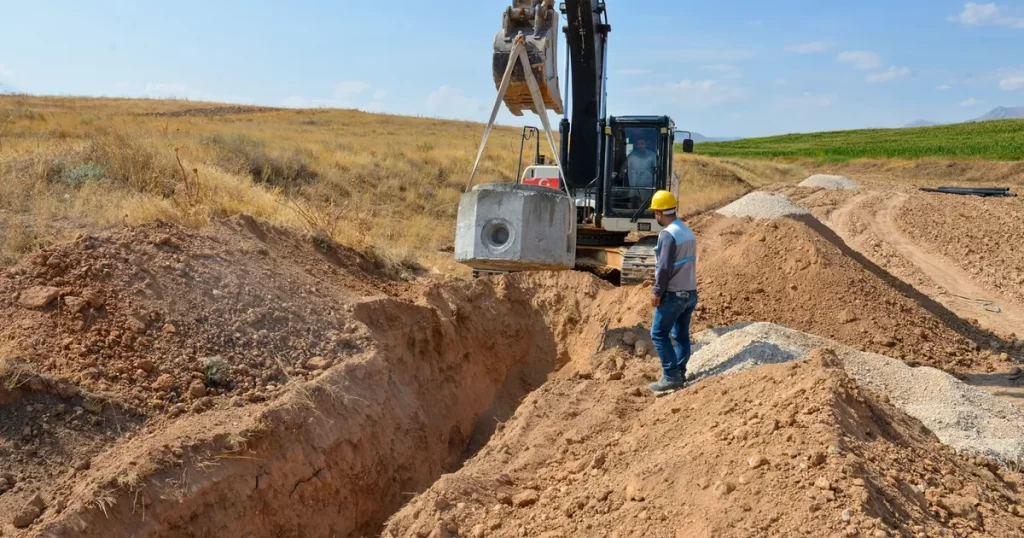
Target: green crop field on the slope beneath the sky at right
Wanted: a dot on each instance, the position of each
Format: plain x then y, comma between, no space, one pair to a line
997,141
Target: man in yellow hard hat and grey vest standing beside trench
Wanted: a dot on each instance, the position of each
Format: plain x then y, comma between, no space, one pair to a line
675,293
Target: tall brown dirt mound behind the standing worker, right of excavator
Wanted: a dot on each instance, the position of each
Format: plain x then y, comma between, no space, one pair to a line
797,273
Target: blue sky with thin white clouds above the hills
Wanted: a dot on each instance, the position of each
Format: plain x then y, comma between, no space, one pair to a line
741,68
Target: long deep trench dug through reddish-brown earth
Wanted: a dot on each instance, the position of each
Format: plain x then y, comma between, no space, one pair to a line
337,457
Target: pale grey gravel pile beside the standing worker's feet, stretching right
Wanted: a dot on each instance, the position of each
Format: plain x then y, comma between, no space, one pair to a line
964,418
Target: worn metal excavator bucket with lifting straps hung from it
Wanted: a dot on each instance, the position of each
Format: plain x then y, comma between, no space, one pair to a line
538,22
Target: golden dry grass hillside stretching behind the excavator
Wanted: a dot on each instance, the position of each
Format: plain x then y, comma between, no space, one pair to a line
388,185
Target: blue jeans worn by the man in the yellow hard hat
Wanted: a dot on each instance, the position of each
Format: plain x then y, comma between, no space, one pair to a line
672,322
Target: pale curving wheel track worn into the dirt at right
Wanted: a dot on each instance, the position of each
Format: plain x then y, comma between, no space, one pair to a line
950,285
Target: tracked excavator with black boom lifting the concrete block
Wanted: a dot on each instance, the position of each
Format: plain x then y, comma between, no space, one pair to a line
613,167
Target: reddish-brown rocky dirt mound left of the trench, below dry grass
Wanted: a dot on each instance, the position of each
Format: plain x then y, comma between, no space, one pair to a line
156,316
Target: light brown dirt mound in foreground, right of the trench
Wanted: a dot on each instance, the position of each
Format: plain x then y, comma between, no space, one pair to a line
787,450
